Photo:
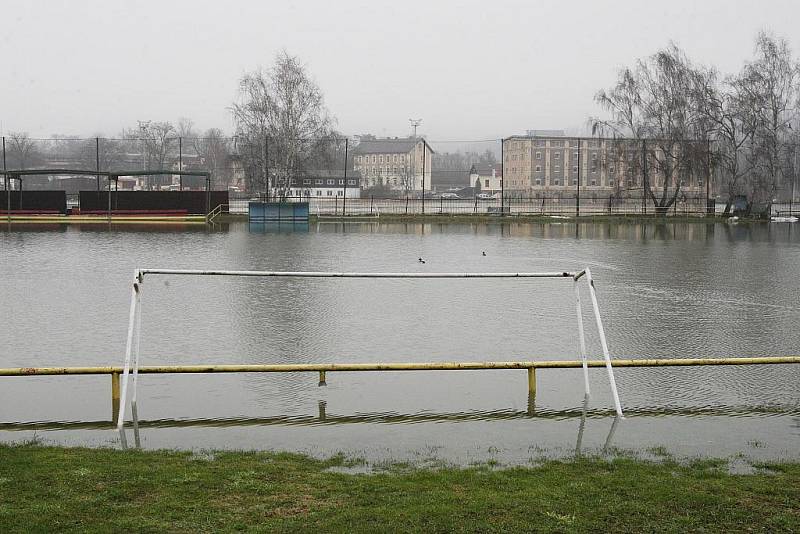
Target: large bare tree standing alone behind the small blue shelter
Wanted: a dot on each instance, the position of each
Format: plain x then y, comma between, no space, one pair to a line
284,108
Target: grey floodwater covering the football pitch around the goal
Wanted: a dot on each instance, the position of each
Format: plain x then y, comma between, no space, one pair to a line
666,291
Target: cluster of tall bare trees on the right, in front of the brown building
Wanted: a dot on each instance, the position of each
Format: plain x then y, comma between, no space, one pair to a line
675,118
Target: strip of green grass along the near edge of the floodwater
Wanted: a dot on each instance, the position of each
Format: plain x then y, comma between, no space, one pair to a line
102,490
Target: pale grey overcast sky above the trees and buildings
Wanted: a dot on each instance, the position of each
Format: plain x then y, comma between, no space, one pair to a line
470,70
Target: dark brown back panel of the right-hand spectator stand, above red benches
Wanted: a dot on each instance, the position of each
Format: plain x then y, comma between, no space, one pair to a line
194,202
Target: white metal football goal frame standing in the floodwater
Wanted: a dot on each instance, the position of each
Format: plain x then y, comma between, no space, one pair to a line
131,365
